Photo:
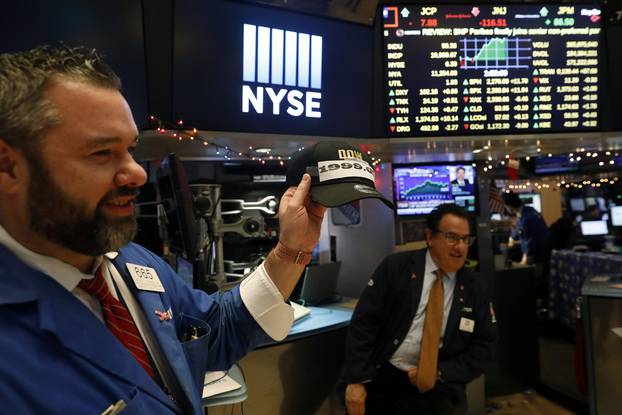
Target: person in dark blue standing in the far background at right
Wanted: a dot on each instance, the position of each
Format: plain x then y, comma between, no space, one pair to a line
530,231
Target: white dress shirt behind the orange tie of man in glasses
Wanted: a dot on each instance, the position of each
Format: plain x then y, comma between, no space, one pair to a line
407,354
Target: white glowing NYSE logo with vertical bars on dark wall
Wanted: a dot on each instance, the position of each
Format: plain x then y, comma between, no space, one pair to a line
282,59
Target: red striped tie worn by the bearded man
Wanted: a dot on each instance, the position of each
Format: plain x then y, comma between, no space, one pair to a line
118,319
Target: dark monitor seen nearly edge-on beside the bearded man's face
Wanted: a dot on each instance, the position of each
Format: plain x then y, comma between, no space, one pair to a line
175,195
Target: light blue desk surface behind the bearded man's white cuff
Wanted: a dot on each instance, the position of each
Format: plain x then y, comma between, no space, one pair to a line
321,319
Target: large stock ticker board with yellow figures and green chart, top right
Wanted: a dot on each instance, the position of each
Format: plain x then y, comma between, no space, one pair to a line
464,69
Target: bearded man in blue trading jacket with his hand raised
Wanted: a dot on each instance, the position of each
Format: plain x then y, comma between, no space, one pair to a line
92,323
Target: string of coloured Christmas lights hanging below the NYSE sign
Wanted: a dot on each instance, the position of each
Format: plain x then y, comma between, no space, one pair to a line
180,132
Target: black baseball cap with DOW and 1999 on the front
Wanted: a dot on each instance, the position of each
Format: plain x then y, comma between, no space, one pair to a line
340,173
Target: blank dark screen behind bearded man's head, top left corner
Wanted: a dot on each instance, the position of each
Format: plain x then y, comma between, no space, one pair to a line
85,23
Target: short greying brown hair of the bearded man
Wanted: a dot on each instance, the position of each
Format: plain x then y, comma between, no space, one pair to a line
24,77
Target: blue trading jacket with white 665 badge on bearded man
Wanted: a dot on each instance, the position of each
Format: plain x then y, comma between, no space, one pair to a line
57,357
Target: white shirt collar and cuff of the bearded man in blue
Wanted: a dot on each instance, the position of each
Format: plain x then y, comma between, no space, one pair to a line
259,294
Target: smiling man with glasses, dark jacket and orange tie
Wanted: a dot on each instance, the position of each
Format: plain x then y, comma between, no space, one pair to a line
423,327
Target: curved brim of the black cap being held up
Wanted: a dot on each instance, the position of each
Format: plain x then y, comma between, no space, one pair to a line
338,194
